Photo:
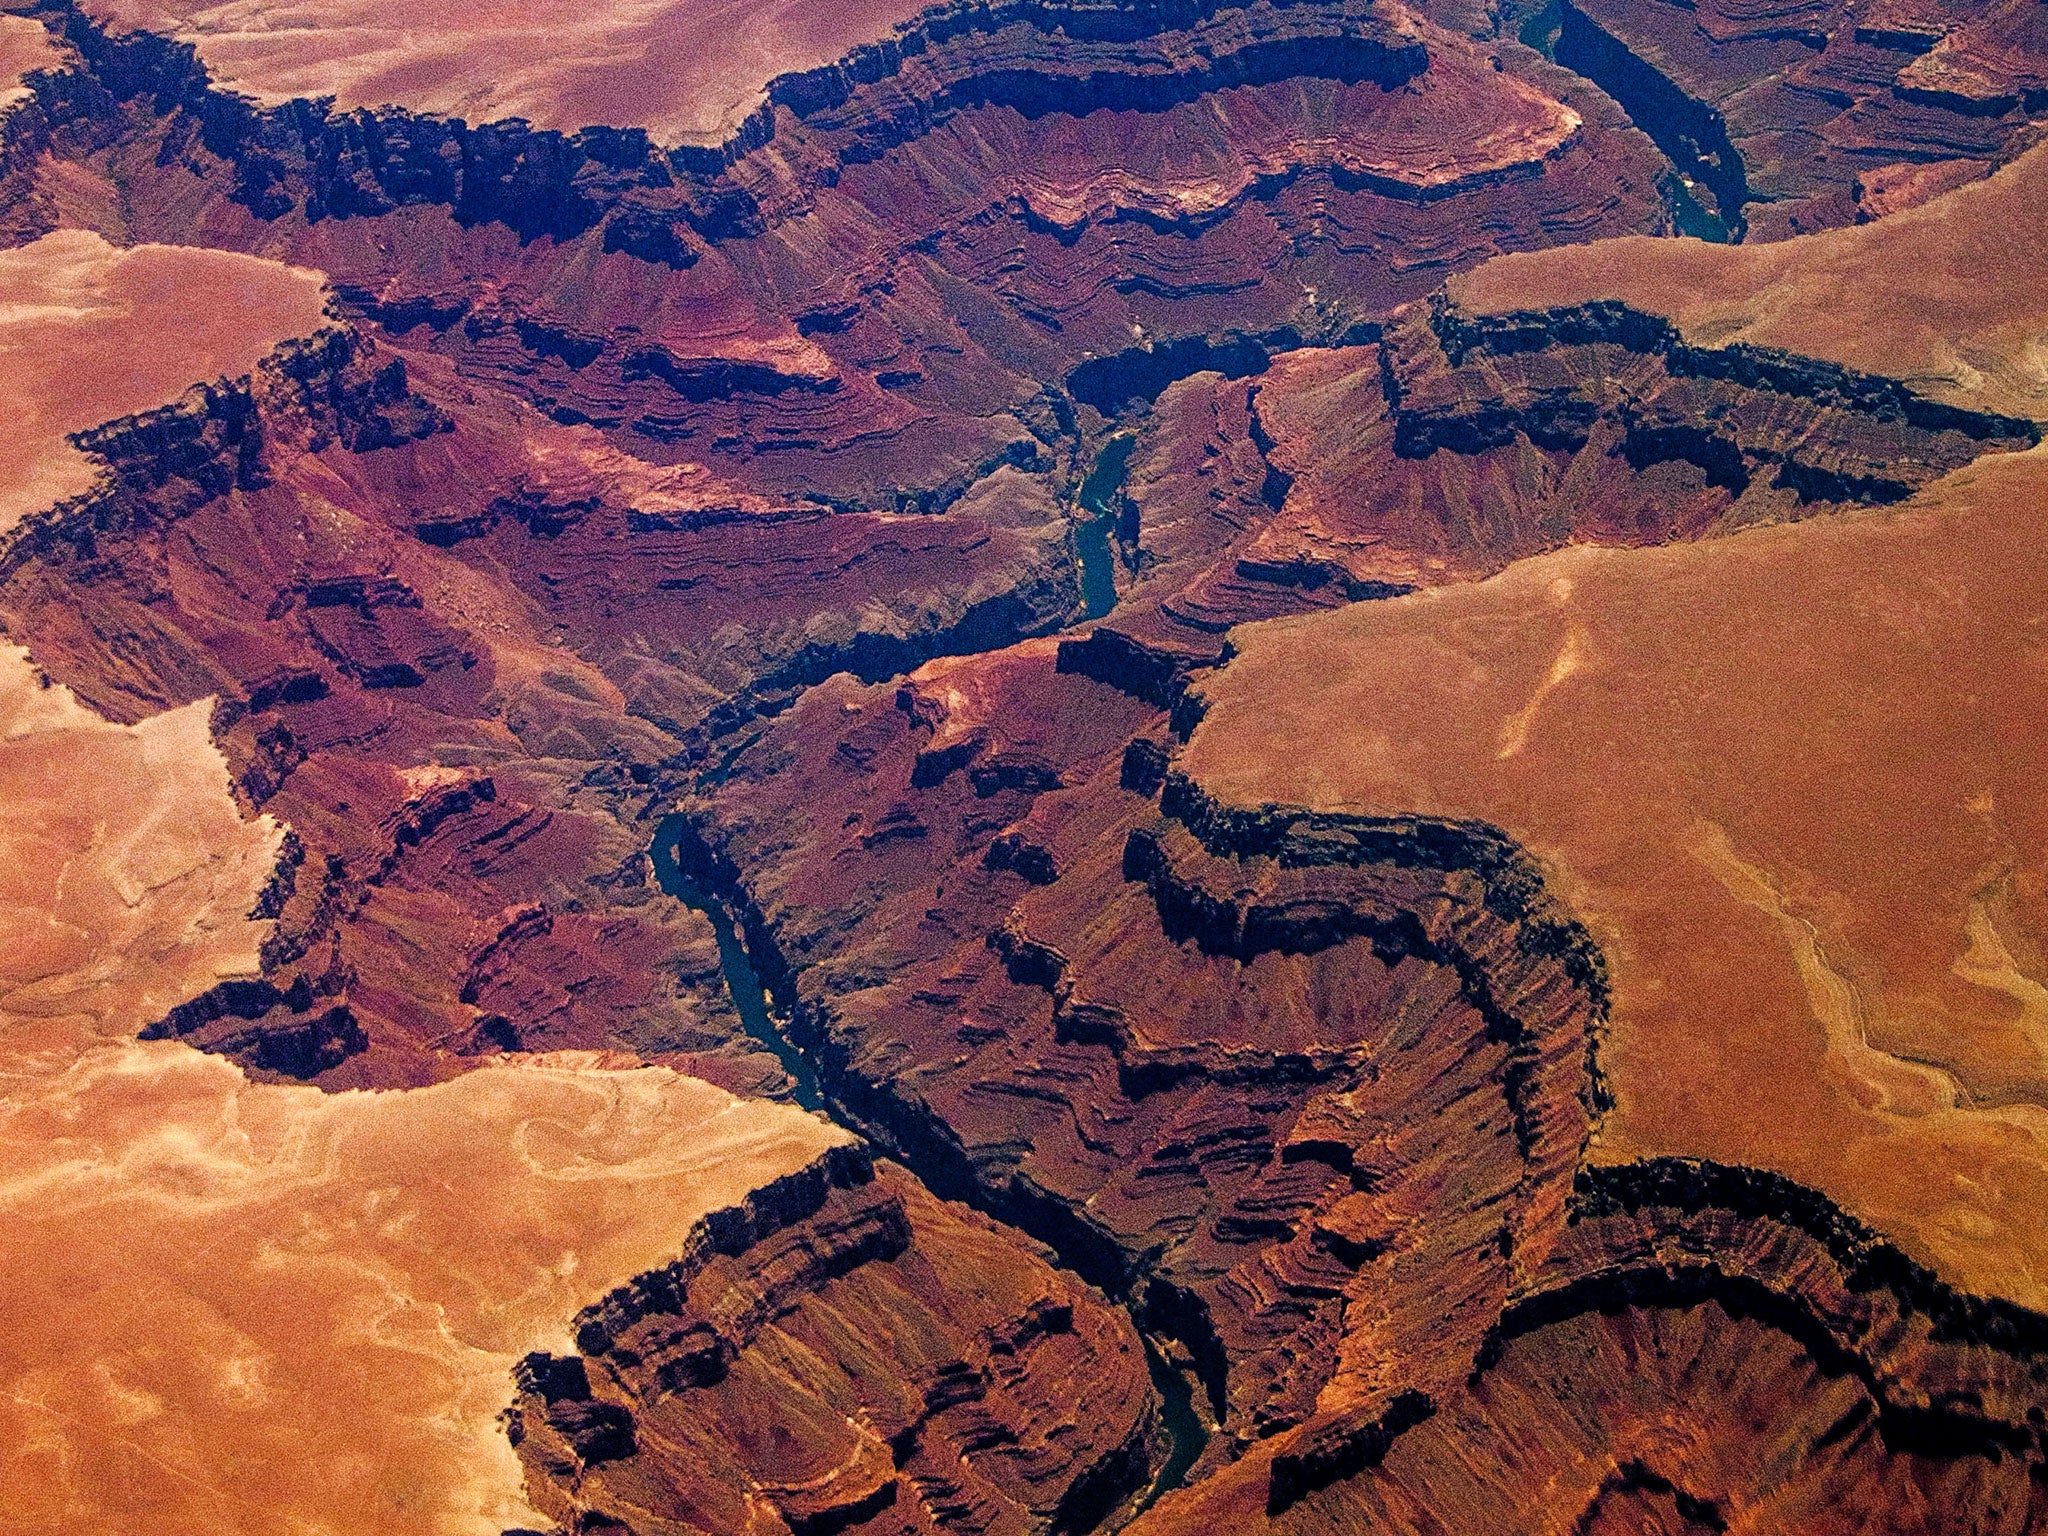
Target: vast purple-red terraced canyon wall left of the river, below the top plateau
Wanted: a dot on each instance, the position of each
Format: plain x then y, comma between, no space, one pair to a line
570,515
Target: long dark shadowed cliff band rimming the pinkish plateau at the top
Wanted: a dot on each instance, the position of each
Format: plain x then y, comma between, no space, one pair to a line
1029,60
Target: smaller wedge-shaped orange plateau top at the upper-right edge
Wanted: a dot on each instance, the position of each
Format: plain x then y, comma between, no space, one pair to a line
1947,296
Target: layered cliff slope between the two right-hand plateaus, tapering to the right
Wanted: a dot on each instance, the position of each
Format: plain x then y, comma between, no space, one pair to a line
1463,441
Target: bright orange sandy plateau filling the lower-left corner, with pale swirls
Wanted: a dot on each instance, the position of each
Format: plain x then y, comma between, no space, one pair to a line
265,1308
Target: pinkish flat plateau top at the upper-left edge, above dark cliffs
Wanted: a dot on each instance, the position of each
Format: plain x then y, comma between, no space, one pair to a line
685,71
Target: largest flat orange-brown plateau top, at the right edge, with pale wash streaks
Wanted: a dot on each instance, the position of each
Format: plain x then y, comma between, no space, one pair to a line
1889,959
